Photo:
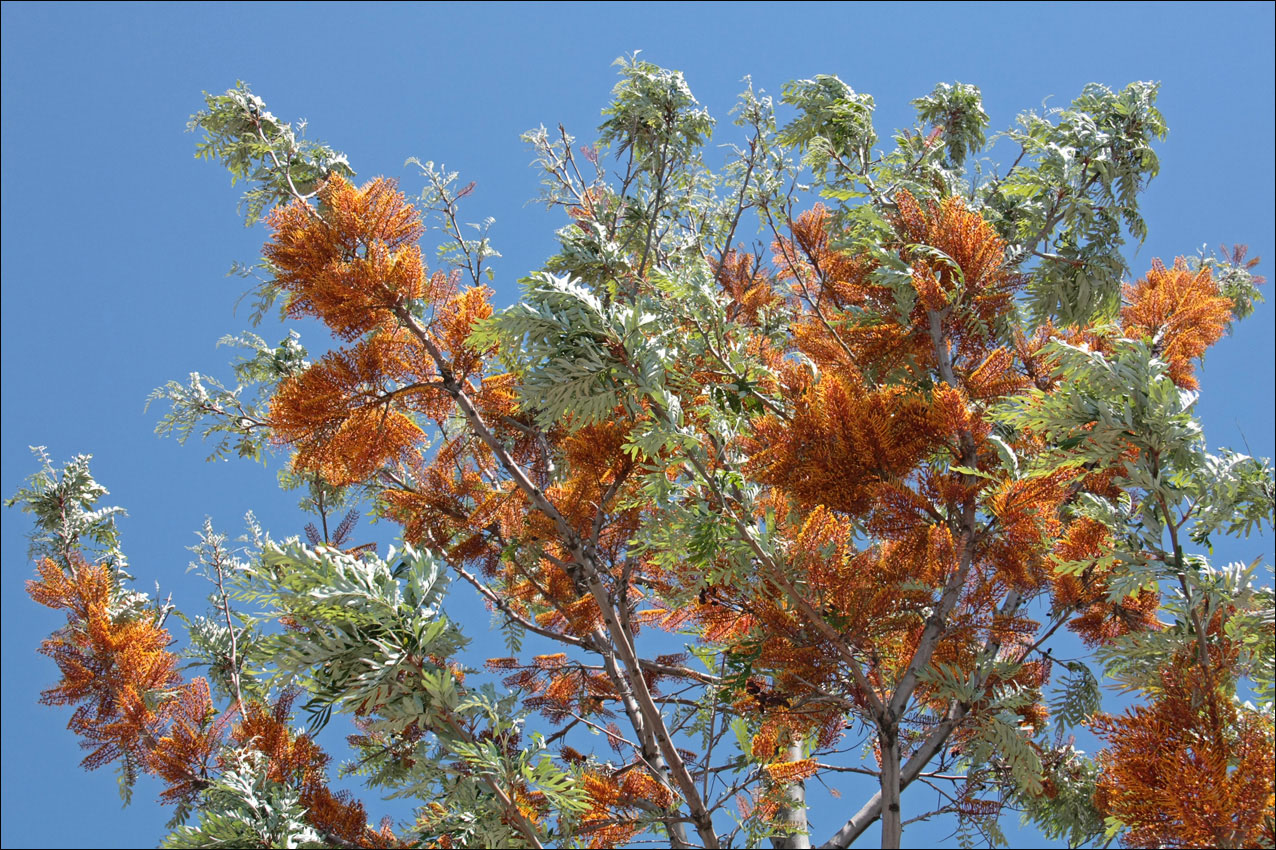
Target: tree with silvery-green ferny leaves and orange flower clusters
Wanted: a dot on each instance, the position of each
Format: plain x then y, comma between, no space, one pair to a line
853,436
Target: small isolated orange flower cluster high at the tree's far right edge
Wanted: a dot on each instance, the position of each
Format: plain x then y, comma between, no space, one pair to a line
1182,309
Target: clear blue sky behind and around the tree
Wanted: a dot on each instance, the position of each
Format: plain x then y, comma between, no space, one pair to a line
117,241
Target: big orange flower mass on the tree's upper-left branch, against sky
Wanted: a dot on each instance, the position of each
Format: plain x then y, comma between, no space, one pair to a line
355,265
